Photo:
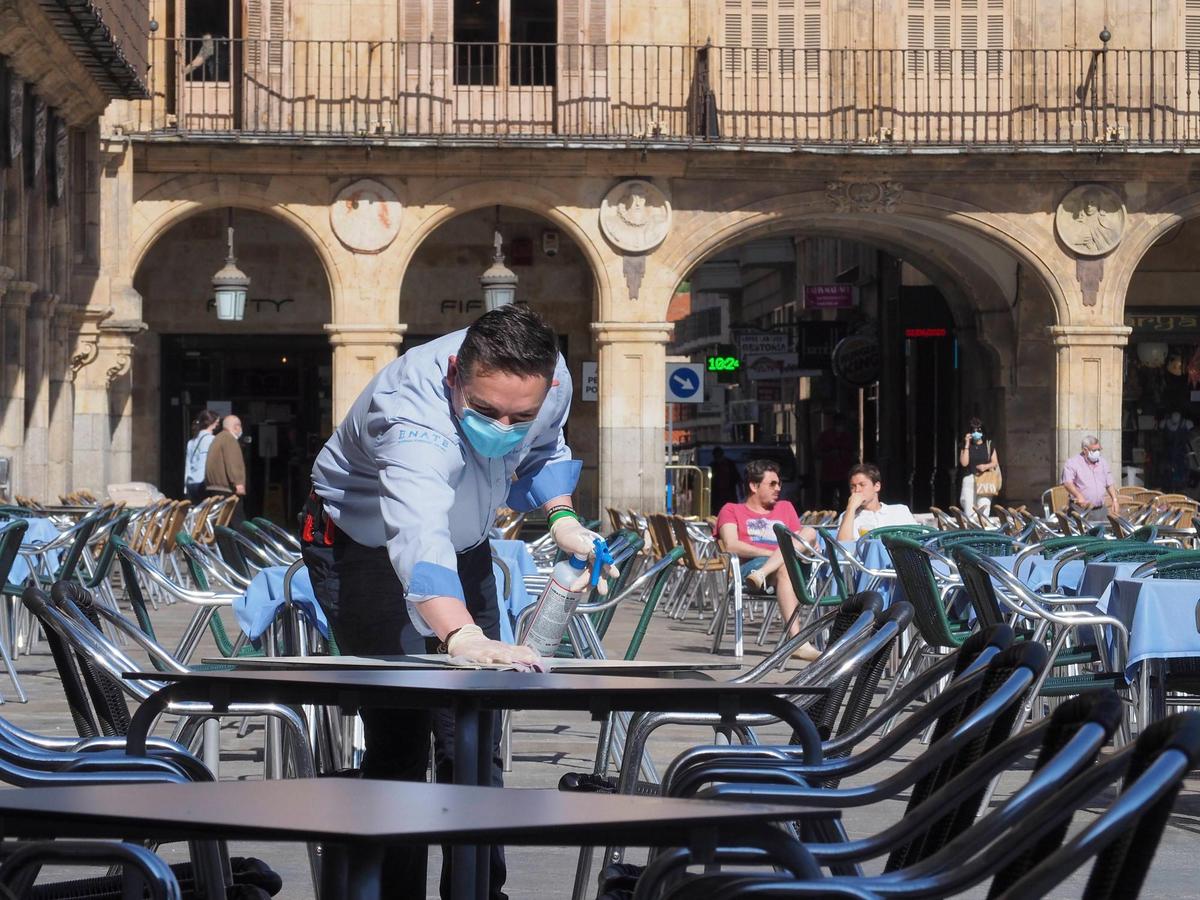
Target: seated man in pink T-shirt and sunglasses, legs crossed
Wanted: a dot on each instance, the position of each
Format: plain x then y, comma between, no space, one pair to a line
748,530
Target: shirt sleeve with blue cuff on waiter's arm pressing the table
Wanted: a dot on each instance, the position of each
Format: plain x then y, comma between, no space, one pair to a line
418,469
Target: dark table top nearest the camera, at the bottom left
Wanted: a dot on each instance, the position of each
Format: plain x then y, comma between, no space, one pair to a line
364,811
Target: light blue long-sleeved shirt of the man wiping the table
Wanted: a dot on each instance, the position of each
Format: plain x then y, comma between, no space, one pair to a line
399,472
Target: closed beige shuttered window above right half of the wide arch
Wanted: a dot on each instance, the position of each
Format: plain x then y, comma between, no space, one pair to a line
941,32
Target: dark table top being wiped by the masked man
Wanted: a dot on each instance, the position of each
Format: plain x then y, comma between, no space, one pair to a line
511,691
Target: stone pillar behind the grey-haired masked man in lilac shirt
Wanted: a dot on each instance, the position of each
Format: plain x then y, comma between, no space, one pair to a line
1089,393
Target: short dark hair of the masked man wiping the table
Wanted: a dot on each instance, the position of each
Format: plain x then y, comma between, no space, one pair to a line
513,340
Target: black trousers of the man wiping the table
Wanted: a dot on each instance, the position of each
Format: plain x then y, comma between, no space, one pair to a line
364,599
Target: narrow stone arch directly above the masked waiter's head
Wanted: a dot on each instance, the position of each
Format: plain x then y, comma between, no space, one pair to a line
479,195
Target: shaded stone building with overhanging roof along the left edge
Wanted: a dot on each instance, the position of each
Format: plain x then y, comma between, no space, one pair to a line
62,64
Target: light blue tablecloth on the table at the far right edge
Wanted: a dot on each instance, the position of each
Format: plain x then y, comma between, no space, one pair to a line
1161,615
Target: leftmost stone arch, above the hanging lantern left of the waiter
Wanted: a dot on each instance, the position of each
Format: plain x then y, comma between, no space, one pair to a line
187,200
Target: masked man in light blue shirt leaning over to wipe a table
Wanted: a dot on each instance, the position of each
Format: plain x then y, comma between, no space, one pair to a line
395,533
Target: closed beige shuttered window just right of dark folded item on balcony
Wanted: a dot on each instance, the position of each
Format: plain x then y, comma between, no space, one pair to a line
772,35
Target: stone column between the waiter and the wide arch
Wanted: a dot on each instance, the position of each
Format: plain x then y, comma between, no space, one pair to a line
633,413
